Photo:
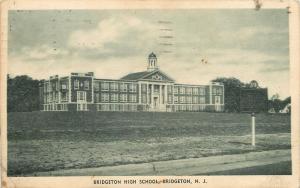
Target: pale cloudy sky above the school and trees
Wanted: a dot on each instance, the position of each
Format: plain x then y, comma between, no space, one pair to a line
245,44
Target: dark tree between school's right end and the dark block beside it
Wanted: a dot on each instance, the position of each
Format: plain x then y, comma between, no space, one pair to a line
232,92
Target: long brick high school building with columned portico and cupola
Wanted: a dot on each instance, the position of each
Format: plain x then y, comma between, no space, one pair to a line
150,90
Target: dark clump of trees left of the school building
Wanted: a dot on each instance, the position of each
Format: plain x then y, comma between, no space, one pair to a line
22,94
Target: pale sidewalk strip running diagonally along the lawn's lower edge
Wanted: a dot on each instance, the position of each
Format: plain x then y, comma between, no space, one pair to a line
191,166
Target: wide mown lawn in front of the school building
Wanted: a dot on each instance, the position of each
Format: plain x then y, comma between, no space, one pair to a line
44,141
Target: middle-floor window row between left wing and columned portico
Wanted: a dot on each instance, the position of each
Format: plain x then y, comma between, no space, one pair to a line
114,97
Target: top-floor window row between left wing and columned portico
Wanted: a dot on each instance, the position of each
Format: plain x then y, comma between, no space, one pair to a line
115,86
